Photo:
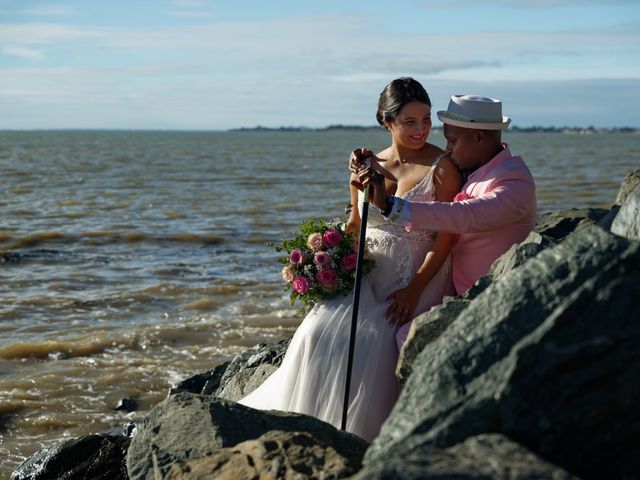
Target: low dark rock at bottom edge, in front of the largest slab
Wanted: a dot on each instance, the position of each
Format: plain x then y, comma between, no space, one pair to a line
481,457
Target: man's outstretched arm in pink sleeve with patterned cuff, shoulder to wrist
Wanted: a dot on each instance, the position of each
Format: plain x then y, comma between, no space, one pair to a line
507,203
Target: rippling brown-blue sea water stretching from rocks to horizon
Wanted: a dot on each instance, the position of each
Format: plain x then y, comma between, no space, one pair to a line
131,260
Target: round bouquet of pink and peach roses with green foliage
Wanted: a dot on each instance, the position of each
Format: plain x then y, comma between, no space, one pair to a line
320,262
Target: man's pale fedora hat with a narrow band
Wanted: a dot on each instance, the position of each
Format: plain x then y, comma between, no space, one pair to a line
471,111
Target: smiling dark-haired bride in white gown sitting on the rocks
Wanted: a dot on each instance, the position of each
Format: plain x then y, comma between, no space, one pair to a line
412,274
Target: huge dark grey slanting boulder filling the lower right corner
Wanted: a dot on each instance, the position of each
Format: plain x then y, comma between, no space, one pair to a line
546,355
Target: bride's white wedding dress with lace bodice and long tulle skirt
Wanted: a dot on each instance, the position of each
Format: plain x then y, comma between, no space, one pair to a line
311,379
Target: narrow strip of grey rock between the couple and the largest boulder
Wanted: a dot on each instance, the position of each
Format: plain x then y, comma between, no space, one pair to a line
430,325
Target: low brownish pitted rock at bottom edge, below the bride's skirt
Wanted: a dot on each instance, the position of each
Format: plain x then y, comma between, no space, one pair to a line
274,455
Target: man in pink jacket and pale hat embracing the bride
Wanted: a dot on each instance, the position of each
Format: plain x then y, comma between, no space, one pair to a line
496,207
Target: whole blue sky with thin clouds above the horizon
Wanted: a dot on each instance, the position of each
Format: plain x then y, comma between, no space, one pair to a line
216,65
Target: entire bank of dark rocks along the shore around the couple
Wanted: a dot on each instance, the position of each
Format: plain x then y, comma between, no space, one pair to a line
533,373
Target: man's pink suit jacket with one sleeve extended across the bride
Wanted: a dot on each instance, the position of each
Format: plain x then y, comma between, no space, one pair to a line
498,211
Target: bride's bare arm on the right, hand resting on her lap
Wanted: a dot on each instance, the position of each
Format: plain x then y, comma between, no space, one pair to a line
448,182
